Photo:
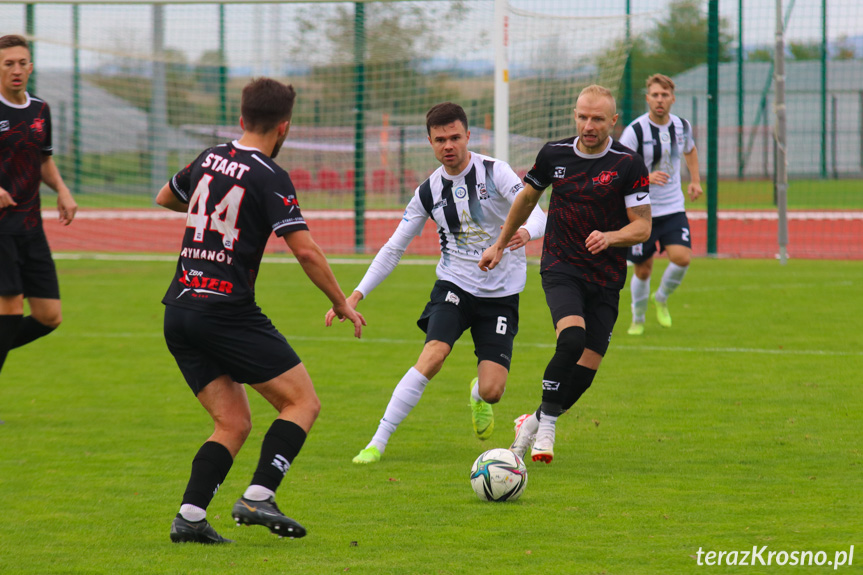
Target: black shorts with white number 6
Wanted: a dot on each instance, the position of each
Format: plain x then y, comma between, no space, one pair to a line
493,322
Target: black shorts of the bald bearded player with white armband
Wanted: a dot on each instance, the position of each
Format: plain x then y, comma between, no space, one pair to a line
568,295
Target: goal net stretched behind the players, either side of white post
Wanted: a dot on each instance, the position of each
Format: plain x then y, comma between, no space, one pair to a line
137,91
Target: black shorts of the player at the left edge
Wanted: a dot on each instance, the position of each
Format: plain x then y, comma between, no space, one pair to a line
27,267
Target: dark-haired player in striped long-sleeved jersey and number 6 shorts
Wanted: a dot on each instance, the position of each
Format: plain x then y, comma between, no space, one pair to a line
468,198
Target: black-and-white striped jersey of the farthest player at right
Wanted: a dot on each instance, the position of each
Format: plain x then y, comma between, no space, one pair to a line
661,147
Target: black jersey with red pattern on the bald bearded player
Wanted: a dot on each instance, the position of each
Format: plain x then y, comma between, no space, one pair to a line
587,194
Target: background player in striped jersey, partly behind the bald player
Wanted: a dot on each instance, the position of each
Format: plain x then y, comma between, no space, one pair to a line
660,137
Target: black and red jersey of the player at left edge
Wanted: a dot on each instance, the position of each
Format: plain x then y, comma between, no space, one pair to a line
25,140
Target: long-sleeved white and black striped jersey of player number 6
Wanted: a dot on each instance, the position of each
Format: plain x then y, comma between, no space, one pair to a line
469,210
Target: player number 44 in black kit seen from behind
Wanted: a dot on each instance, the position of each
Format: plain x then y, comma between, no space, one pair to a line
235,196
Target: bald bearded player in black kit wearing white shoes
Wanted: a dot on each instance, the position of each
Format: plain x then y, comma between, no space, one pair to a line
599,206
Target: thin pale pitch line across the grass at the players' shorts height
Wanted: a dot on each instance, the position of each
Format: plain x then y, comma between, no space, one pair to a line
550,345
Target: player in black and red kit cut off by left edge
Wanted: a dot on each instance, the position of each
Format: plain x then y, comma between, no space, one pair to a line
26,266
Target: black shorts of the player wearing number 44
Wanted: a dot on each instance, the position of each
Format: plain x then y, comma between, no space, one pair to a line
247,346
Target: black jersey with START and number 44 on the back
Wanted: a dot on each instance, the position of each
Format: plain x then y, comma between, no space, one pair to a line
237,197
